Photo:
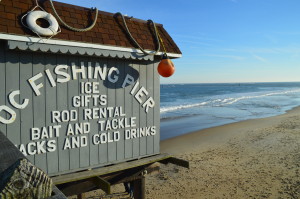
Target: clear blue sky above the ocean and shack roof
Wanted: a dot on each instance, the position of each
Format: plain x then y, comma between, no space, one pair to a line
223,40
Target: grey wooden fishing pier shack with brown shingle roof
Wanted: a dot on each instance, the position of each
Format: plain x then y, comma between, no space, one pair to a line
79,100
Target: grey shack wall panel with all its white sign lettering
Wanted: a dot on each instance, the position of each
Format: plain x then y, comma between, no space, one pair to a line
102,111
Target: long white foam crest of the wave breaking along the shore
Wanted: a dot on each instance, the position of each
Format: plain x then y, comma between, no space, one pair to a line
224,101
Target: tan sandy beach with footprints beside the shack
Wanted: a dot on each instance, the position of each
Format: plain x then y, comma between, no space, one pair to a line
257,158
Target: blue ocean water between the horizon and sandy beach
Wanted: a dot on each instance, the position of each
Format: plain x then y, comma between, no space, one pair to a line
189,107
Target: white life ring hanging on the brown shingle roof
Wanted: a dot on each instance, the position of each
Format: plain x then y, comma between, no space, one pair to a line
35,15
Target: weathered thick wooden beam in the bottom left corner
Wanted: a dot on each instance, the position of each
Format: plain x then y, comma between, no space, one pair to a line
19,179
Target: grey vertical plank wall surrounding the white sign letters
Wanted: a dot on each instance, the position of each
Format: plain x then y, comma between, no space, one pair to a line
16,67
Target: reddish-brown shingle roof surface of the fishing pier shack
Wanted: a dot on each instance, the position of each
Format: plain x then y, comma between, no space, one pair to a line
109,30
